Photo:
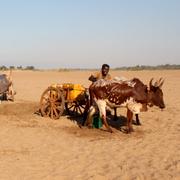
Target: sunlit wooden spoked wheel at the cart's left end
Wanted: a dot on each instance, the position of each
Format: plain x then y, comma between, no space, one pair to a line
52,103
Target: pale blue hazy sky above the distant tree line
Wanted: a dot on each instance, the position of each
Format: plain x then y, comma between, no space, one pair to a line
87,33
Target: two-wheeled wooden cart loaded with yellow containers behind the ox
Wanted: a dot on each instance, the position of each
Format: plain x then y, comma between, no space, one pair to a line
59,97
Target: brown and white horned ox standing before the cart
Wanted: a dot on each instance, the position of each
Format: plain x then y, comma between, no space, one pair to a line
132,94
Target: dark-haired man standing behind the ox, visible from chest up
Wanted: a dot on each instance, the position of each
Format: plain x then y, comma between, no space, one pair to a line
103,74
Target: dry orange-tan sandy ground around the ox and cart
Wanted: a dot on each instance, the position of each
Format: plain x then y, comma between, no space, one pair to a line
34,147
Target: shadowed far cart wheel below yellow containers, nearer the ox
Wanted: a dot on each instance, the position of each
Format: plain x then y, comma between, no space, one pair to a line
75,108
